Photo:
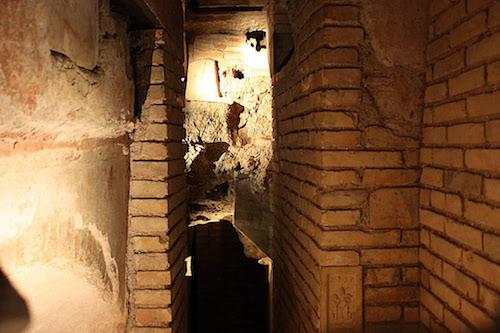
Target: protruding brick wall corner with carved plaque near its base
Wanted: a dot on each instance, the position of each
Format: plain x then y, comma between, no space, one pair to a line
349,105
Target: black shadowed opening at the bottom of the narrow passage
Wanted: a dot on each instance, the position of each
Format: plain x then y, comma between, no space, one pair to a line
229,291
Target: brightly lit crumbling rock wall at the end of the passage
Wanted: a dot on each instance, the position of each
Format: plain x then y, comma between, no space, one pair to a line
229,125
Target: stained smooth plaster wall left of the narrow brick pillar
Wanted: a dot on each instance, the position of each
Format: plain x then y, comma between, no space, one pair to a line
63,145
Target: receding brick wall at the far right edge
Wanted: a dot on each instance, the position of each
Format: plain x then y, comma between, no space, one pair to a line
460,198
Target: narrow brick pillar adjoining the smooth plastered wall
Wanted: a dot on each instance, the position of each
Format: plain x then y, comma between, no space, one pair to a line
158,240
